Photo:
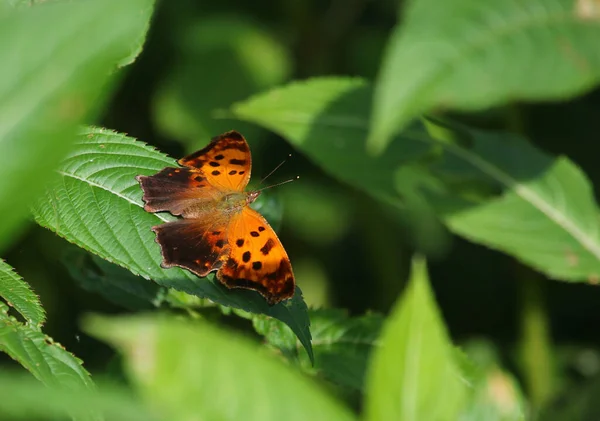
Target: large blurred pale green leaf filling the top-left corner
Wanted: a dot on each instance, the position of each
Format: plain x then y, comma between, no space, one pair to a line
52,77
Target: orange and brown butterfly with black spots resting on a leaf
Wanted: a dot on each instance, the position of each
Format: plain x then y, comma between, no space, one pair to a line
219,230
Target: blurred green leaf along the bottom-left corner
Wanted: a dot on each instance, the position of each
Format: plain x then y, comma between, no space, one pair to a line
24,398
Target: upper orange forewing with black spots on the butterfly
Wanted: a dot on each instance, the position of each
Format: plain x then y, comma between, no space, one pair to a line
225,162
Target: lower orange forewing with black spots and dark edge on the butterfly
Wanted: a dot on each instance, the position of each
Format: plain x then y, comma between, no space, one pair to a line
257,259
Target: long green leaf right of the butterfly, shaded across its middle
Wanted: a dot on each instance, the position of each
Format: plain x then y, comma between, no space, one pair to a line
535,207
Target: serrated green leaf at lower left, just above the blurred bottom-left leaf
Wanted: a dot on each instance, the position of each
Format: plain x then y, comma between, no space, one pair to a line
47,360
